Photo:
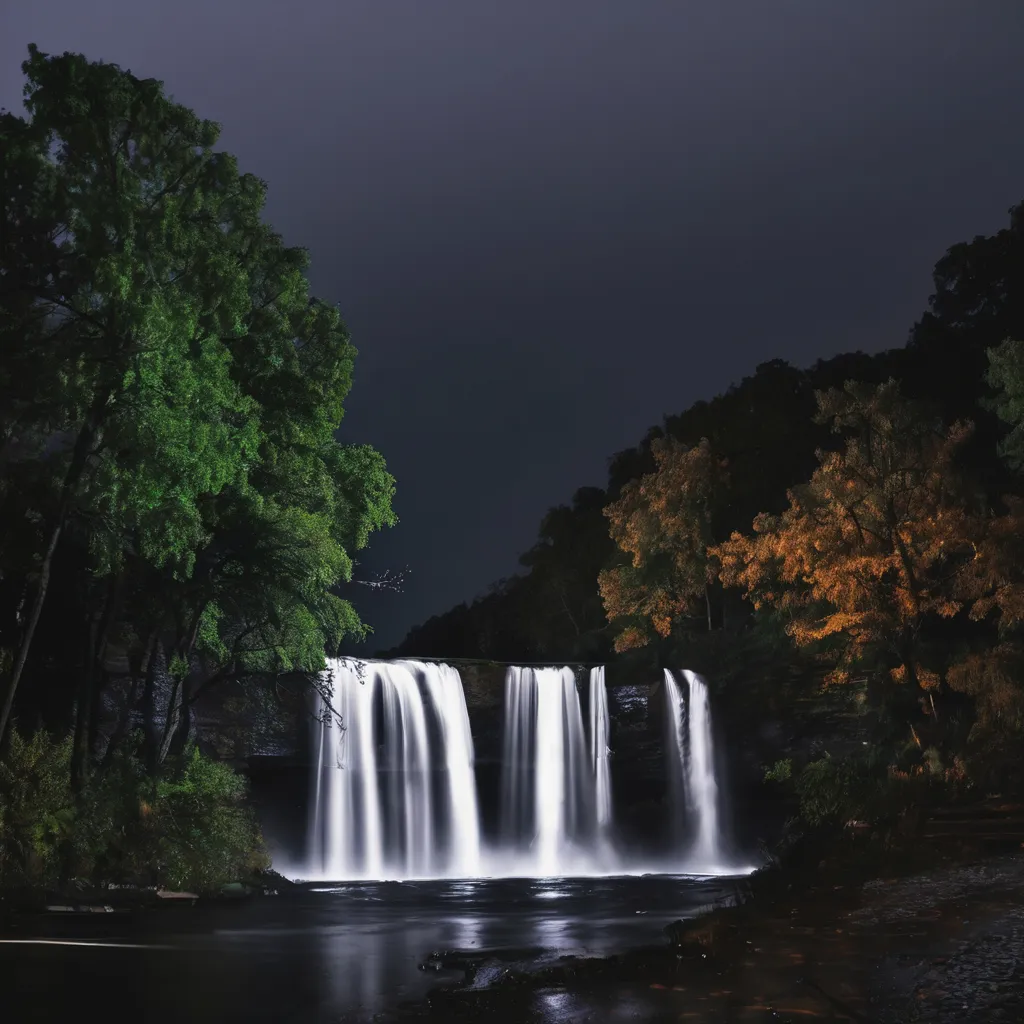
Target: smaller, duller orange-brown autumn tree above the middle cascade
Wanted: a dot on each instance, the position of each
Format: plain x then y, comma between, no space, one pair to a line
665,523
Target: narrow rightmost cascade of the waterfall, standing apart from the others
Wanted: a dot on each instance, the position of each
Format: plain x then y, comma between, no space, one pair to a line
692,765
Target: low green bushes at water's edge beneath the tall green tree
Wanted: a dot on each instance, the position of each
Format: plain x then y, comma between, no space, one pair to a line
189,828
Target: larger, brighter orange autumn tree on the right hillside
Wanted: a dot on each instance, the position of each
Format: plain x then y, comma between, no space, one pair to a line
872,548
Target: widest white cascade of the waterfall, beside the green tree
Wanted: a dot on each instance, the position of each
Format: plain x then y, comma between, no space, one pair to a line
379,808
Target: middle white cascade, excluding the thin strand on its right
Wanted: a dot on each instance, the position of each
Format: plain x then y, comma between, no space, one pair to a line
547,786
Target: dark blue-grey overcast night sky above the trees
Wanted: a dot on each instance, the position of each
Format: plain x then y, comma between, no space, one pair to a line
548,225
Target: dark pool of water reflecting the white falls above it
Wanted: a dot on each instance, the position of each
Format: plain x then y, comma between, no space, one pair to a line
319,954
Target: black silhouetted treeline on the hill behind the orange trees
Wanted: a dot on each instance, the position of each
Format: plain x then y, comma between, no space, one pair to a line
764,429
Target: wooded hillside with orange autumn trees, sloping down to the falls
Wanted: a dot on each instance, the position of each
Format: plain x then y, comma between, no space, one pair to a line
838,548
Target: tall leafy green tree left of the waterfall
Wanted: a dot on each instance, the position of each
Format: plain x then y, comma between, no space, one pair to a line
178,380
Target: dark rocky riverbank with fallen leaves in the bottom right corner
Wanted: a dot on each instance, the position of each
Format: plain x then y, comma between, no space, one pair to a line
927,929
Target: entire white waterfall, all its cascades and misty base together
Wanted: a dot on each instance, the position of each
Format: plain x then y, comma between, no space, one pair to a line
395,795
